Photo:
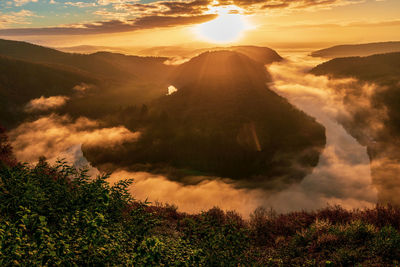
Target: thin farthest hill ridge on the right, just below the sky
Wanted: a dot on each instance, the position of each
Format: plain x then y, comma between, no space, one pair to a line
358,50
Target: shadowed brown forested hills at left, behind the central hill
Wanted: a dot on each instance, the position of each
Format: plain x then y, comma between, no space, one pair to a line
29,71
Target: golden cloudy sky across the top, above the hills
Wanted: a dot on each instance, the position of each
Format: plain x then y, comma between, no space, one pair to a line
144,23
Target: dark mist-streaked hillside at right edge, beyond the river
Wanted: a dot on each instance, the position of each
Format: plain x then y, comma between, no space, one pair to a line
375,120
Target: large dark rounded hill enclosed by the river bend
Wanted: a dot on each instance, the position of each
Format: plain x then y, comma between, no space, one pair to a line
223,121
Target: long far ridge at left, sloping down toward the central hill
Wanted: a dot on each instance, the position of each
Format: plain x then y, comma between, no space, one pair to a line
102,64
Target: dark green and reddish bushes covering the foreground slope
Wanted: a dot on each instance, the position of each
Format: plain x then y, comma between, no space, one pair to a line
57,215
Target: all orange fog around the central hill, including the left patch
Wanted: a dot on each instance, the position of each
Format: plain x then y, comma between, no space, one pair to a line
343,175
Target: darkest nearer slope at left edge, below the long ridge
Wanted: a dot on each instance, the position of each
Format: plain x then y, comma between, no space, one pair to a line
21,81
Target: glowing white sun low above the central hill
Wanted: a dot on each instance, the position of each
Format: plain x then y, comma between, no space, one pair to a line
226,28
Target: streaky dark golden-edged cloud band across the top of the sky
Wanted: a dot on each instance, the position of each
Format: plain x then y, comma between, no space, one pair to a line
124,16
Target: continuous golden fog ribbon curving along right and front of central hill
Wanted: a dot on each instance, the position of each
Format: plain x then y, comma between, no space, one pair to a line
343,174
